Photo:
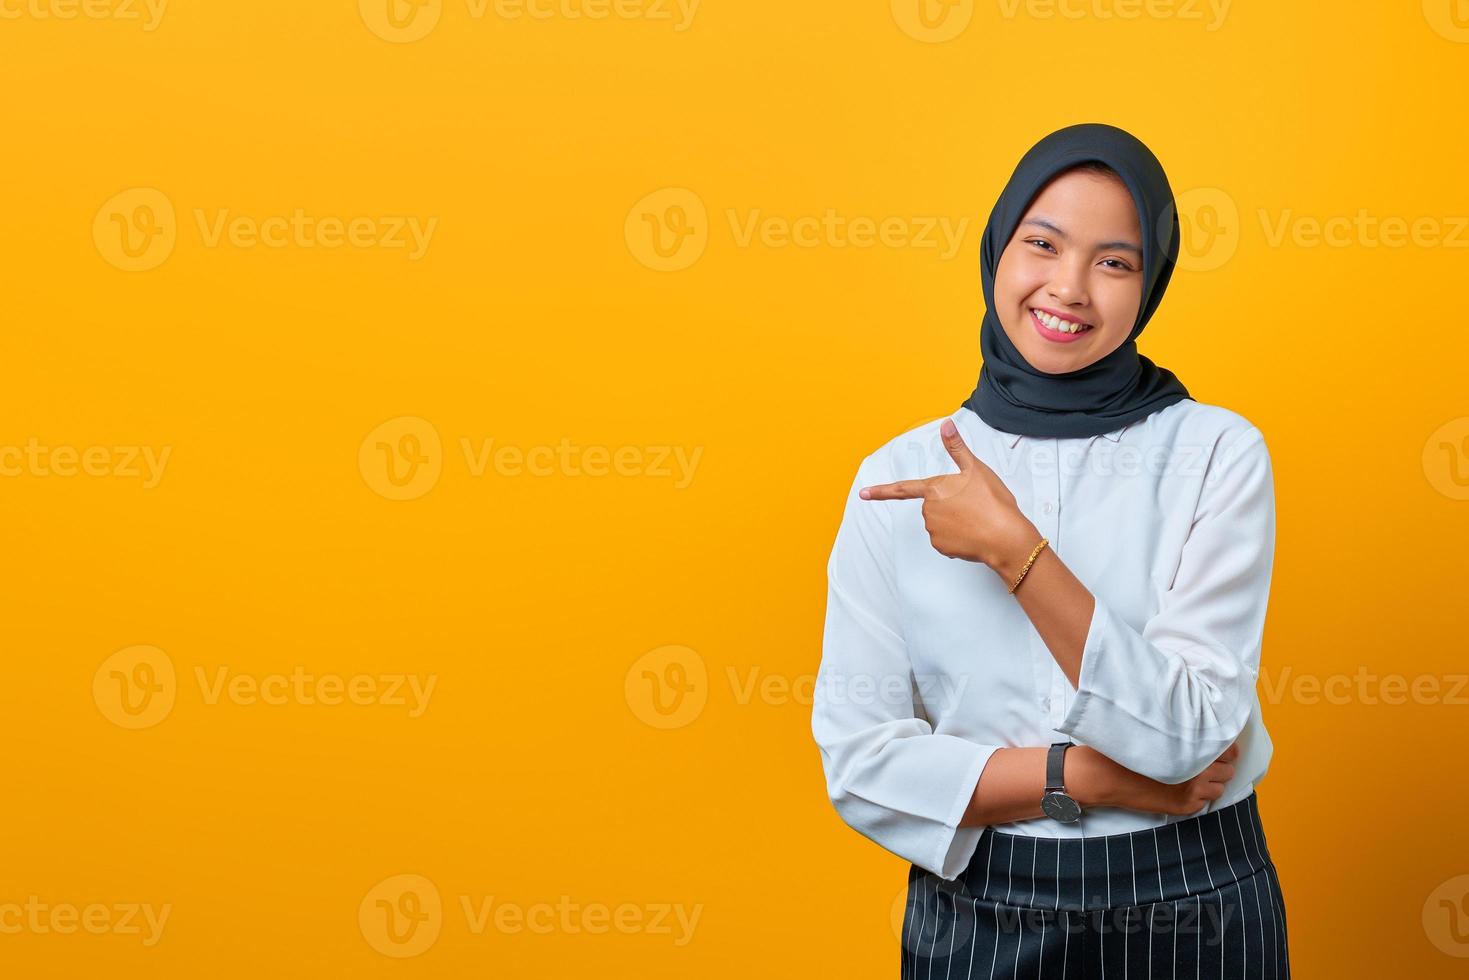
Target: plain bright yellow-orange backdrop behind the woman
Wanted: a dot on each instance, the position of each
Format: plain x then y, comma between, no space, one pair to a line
538,772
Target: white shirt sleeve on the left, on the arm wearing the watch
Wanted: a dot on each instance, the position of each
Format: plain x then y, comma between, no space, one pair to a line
888,774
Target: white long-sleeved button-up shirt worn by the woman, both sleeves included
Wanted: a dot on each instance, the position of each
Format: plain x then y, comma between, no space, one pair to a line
929,665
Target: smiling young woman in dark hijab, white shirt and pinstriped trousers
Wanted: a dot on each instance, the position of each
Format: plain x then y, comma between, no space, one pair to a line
1045,616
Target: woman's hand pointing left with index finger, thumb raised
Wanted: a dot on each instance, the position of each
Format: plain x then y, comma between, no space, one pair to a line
970,515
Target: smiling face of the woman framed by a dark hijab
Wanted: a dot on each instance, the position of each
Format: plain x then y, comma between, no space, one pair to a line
1079,256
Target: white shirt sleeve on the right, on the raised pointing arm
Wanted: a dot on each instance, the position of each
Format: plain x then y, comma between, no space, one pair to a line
1170,700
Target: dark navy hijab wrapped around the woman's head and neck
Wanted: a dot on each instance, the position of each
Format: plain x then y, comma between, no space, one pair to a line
1125,386
